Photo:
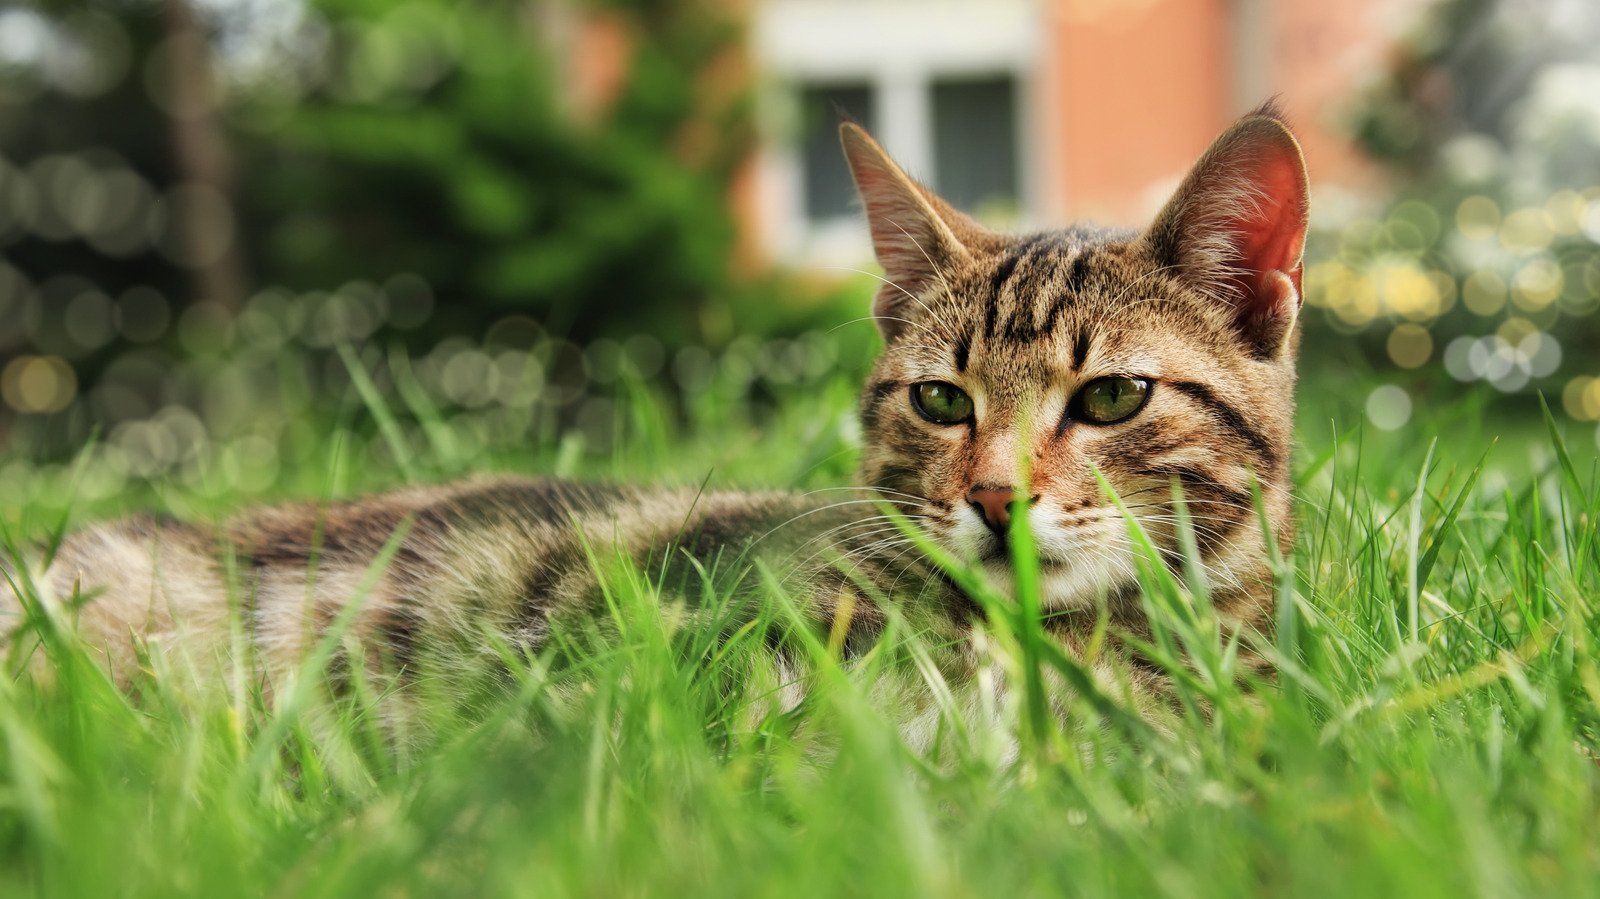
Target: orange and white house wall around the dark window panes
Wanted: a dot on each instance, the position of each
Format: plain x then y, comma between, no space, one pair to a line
1121,97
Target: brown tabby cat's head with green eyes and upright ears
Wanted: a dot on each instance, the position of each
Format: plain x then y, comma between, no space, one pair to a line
1015,367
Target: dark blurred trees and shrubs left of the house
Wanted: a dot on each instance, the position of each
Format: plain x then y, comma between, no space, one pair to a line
199,204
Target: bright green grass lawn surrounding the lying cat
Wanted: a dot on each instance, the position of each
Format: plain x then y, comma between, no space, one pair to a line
1433,733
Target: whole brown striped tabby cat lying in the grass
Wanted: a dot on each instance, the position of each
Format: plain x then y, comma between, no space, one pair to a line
1014,370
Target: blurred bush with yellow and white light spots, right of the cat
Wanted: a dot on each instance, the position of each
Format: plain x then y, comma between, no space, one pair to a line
1486,260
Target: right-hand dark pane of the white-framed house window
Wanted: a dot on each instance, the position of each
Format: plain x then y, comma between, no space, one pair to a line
975,142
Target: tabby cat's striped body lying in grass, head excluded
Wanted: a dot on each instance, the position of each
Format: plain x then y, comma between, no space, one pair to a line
506,557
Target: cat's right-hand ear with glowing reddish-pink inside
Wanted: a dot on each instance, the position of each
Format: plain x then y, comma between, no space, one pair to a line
1238,226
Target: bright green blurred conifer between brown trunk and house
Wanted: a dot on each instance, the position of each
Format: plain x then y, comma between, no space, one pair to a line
441,142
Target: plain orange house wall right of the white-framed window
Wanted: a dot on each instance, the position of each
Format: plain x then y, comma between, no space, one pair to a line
1134,90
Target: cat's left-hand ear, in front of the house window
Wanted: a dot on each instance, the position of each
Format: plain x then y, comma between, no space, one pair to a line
914,234
